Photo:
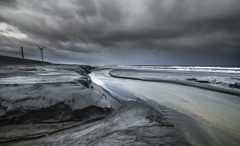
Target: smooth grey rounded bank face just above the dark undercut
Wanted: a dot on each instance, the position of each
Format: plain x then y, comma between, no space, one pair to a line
17,101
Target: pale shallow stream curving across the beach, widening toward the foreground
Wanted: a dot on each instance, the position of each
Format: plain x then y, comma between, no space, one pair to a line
204,117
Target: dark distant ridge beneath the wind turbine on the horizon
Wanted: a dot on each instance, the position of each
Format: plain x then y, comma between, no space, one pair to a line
6,60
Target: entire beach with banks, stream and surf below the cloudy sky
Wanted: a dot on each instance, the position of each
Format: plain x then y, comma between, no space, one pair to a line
57,104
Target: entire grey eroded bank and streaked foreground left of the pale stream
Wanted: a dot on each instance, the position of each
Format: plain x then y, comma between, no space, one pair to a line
52,110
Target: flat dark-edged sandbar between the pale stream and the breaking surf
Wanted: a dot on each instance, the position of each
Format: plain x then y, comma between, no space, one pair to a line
228,83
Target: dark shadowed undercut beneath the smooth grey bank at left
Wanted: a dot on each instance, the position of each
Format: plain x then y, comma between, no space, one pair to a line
59,113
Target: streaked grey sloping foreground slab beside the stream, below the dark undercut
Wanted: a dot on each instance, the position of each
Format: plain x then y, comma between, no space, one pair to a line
128,126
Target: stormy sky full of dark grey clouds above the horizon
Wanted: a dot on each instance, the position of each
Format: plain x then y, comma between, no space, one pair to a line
128,32
